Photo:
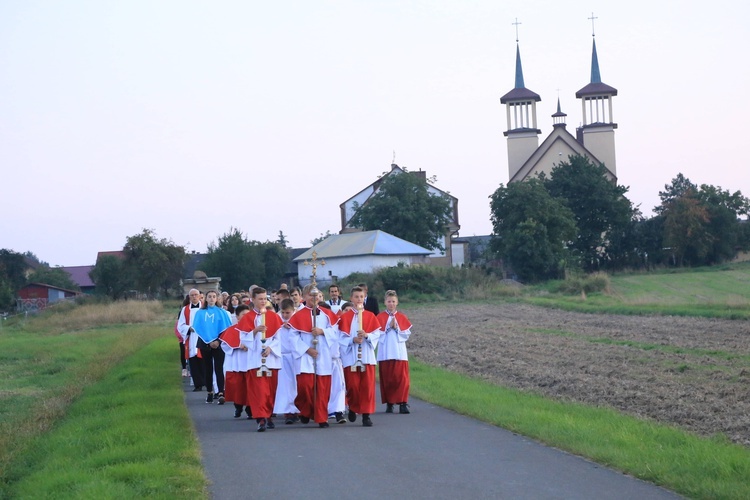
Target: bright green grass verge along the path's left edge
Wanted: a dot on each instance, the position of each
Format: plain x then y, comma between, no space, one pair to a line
127,436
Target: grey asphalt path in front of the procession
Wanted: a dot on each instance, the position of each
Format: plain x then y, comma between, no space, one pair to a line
431,453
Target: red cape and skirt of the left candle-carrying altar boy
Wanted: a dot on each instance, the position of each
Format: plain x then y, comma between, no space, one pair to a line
261,391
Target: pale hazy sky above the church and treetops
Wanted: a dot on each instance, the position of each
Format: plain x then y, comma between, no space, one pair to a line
193,117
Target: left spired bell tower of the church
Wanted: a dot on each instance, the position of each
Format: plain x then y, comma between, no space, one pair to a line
522,133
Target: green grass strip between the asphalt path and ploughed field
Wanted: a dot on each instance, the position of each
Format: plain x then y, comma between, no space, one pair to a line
664,455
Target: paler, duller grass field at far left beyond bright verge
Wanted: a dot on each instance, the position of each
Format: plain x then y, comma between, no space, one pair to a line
43,373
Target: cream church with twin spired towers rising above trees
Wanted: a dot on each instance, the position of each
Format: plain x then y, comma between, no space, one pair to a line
595,138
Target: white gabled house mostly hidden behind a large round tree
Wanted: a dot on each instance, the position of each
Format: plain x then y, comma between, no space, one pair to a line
437,256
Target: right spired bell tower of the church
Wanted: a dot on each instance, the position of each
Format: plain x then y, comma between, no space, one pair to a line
597,134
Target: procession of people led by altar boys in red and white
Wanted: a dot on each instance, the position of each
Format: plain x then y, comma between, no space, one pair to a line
296,354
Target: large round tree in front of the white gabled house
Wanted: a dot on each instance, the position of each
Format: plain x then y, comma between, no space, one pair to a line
404,207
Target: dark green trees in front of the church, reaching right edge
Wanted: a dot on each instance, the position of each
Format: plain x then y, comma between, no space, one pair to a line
577,219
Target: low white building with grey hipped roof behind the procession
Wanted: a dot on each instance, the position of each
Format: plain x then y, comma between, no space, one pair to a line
340,255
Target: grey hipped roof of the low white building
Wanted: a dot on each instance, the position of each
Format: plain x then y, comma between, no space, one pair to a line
363,243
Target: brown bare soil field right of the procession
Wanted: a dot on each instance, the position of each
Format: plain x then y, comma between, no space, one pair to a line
690,372
